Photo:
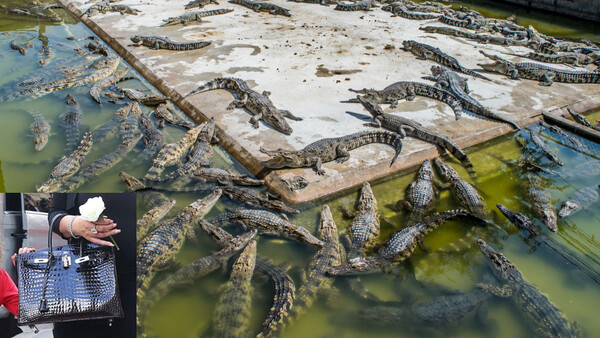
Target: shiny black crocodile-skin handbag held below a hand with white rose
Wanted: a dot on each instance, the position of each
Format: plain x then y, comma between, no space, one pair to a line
66,283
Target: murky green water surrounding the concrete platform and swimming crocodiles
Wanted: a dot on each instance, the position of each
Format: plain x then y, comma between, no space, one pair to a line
188,312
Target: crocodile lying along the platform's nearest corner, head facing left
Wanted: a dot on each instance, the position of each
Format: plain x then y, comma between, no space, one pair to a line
329,149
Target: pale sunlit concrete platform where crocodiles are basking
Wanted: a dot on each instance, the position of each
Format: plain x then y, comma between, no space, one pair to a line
308,62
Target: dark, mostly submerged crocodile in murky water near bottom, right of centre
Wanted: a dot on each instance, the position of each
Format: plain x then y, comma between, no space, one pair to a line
439,312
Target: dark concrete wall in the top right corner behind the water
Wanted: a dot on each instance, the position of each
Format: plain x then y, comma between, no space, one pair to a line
585,9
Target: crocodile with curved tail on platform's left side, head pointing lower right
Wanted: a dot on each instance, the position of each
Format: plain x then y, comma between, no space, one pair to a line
258,104
